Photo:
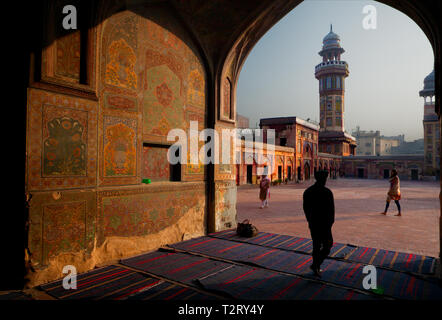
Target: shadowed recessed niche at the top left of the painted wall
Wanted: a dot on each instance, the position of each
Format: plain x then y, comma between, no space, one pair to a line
68,55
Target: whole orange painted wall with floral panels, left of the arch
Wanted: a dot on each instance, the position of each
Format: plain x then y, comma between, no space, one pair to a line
86,152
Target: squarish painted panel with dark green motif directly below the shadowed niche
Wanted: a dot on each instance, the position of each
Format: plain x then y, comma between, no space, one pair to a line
61,141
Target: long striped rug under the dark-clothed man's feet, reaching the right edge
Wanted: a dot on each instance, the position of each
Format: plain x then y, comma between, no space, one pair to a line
344,273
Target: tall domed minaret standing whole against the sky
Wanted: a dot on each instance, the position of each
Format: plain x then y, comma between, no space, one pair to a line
331,73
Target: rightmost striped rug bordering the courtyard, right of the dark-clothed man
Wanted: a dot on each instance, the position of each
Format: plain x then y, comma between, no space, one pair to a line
400,261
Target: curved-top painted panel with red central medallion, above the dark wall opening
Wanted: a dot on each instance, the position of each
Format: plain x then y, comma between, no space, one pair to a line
174,83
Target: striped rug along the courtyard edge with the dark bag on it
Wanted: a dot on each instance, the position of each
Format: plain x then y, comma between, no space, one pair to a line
285,242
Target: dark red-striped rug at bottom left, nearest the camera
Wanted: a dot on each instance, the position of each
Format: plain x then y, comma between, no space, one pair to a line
117,283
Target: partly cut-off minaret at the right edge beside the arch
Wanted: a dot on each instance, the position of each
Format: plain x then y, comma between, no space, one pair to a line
431,128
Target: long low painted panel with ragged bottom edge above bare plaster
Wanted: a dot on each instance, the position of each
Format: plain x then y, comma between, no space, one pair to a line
146,210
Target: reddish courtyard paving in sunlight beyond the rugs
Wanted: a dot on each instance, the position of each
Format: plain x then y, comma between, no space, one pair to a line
358,203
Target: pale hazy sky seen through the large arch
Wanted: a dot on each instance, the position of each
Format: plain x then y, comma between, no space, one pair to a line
387,68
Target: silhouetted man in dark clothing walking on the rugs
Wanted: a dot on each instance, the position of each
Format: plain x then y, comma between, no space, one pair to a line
319,209
